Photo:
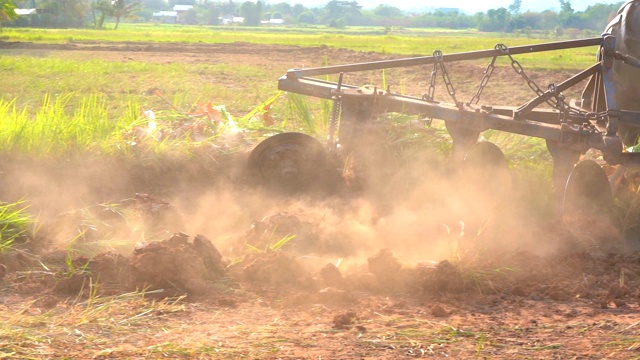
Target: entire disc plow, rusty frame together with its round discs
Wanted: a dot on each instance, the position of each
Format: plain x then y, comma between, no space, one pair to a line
596,120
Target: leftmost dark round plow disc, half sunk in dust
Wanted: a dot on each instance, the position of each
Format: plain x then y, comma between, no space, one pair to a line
289,162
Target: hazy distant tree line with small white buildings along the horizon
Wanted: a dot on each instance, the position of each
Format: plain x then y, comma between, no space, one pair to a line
336,13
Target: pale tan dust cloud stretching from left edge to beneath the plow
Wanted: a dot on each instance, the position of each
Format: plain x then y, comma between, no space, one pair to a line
421,207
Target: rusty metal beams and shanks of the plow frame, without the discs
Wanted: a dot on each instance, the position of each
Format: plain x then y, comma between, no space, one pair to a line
569,131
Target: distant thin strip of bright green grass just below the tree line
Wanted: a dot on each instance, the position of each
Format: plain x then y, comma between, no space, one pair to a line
405,42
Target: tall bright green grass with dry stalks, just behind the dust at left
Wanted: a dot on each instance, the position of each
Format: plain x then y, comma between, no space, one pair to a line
73,124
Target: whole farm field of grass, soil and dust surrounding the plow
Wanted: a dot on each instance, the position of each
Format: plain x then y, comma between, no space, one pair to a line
131,229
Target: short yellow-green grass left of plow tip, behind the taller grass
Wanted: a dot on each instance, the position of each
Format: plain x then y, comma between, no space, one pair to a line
28,79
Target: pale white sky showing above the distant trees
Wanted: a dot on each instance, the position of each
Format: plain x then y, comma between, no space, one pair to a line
470,7
